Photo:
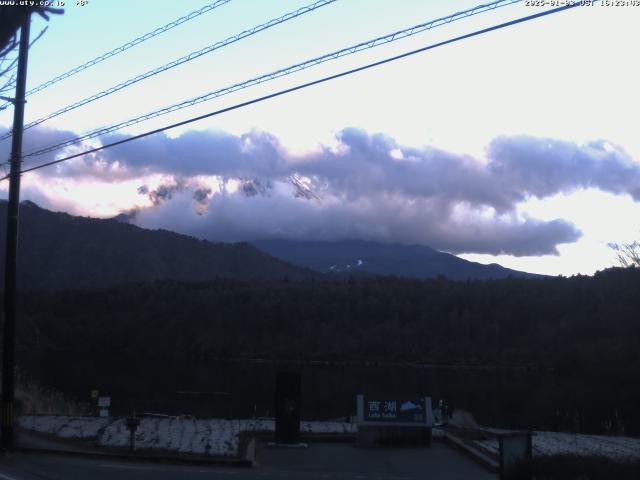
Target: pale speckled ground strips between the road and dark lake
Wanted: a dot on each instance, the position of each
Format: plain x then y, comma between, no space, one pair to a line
219,437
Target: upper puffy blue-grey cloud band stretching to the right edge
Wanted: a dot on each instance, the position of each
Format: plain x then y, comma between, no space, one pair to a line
515,168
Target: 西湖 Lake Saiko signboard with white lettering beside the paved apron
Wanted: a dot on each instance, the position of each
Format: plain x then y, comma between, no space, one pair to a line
402,412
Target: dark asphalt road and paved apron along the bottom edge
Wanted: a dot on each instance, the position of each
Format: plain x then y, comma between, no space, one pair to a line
318,461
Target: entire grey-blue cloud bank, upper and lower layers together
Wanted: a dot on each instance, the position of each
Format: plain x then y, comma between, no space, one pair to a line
363,186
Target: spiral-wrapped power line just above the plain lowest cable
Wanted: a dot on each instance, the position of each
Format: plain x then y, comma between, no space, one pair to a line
391,37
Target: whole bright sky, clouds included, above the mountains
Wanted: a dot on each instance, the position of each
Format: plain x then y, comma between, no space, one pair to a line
518,147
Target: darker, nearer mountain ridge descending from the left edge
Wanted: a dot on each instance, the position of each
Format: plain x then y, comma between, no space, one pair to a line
58,250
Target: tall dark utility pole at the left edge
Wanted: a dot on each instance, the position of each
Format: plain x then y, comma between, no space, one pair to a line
13,207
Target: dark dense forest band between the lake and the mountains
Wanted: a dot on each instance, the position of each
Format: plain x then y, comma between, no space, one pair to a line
582,331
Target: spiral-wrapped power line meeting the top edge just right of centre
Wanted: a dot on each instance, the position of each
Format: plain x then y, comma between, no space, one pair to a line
187,58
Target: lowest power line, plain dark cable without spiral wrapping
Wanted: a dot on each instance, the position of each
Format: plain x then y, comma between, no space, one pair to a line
305,85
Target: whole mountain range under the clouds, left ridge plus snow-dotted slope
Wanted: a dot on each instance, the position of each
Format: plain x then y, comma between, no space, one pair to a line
58,251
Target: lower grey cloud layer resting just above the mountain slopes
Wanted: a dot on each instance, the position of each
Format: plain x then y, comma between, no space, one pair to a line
236,217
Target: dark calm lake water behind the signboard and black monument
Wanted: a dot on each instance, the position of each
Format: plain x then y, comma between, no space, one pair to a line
213,388
